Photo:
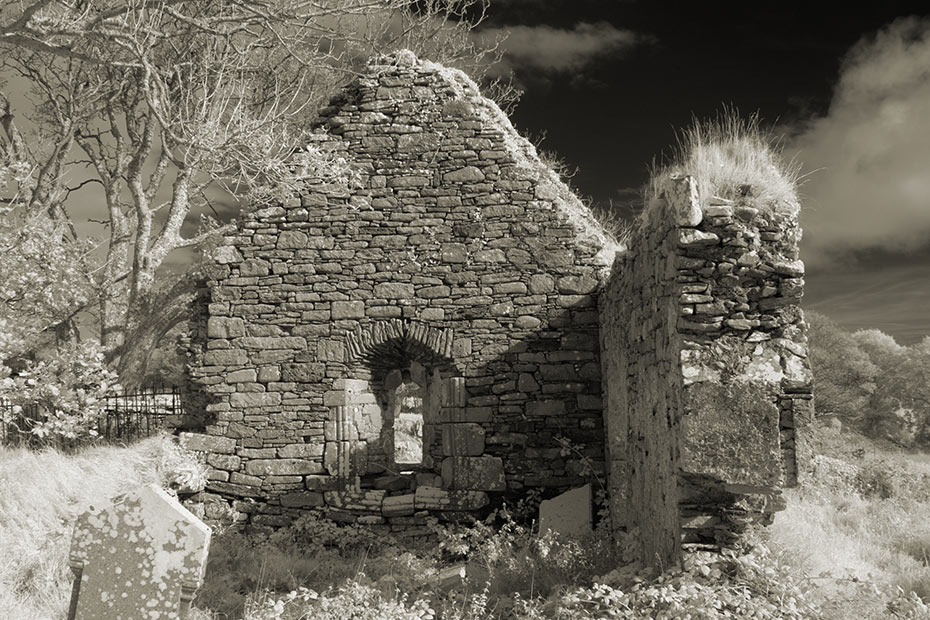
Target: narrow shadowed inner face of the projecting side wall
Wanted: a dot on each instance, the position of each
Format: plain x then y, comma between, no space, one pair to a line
642,388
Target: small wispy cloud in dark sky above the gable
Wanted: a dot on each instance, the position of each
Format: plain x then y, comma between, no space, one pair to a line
554,50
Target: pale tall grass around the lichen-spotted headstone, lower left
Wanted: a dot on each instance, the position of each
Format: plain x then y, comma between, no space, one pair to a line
41,495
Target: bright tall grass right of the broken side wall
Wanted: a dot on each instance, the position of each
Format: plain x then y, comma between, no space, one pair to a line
859,531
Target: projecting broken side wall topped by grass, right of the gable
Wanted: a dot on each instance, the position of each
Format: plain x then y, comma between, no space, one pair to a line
705,349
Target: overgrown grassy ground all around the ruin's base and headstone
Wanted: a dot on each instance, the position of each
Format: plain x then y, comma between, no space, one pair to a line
854,542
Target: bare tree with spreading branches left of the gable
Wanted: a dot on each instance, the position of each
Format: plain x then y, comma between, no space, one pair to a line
159,101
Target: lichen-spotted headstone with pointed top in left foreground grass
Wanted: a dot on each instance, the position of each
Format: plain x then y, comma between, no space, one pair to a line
142,557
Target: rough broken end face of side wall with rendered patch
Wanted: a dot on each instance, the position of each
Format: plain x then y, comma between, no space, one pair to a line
747,381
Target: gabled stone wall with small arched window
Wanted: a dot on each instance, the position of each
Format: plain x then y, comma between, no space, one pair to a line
455,280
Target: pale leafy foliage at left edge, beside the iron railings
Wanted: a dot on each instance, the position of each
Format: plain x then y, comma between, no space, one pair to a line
43,286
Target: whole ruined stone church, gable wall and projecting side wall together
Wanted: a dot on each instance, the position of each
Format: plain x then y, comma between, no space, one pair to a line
444,327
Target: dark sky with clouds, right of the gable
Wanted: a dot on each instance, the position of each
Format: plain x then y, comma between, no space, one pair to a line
846,90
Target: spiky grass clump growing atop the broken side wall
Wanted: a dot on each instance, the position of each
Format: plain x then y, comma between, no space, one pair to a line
732,158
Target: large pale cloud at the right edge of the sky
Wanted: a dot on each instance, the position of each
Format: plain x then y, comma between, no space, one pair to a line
871,152
